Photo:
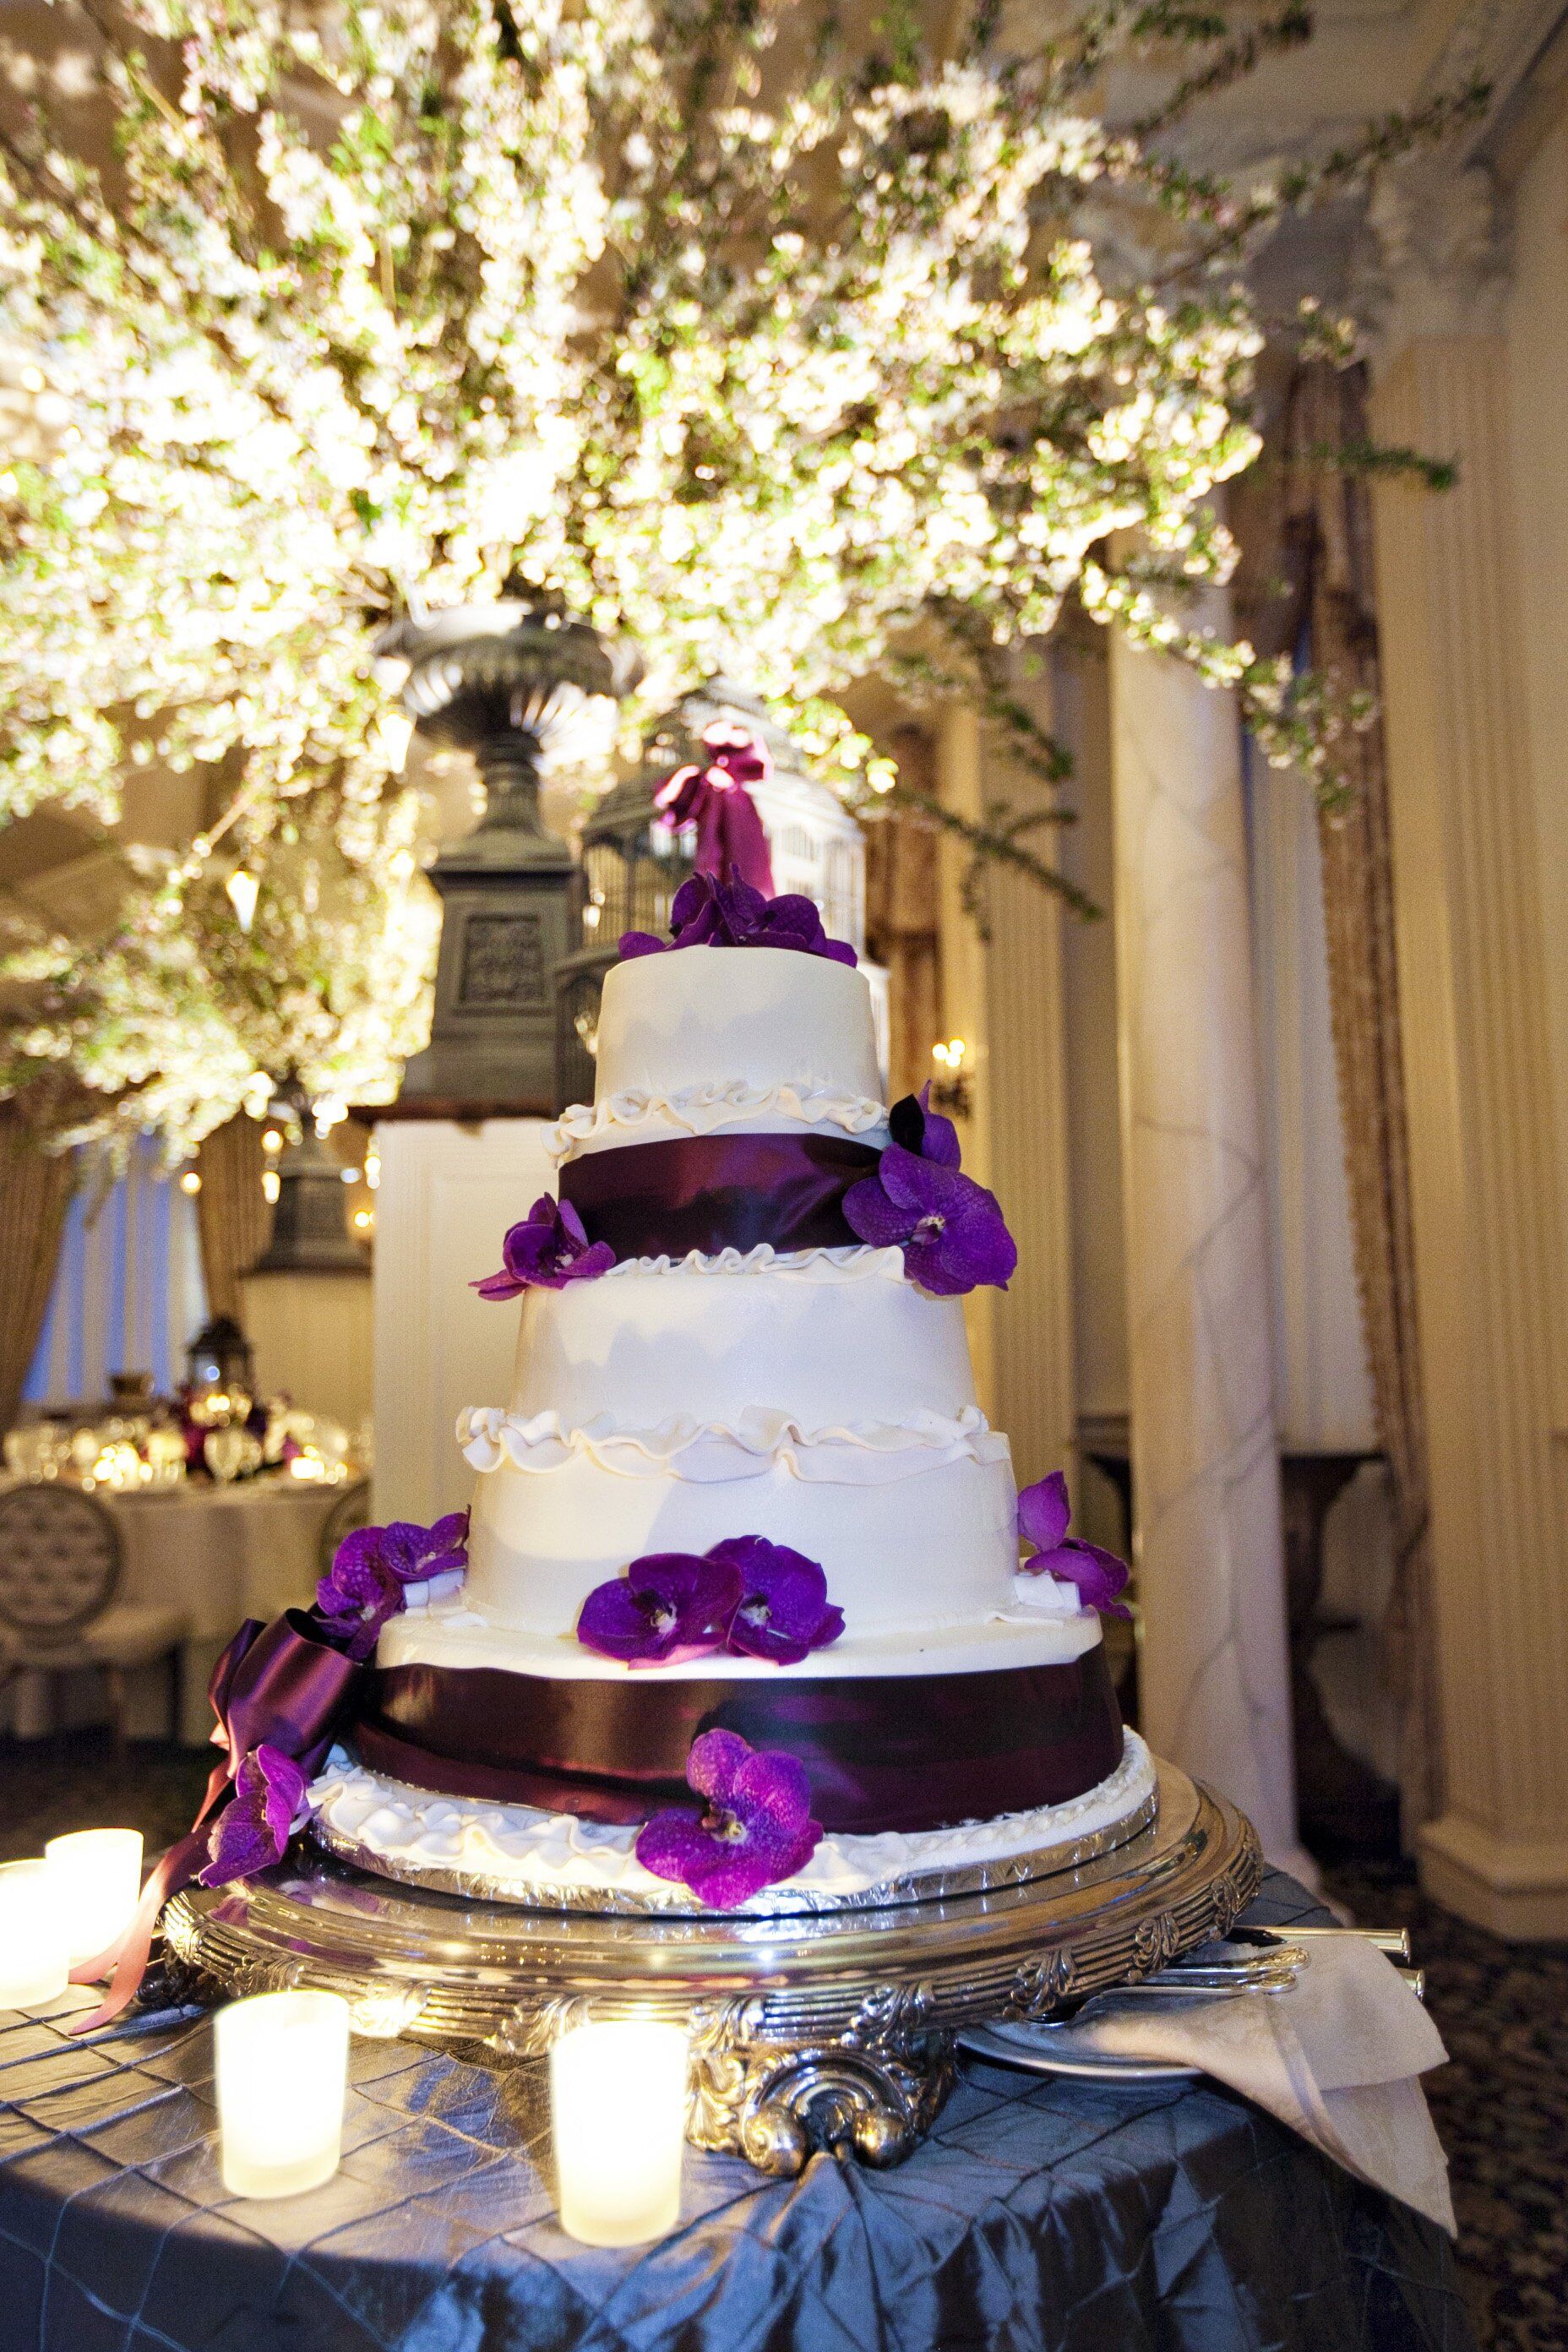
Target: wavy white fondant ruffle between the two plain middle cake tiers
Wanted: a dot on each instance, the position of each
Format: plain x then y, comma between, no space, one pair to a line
706,1452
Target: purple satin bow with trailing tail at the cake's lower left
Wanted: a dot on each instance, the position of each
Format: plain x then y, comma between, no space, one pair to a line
274,1683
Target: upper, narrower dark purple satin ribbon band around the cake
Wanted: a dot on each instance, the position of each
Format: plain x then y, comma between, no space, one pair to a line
711,1194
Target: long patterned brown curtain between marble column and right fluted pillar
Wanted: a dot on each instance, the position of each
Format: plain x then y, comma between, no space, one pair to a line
1329,537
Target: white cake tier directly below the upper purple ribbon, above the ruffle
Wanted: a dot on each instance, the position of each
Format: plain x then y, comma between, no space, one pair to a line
838,1337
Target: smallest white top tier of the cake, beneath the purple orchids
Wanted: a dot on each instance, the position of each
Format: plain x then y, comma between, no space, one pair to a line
713,1017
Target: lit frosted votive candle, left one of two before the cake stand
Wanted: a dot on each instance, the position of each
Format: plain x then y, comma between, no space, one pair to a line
283,2069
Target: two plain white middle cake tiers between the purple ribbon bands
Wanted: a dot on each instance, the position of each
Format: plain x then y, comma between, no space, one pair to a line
819,1401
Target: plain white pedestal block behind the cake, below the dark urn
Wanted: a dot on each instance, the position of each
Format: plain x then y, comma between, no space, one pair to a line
448,1194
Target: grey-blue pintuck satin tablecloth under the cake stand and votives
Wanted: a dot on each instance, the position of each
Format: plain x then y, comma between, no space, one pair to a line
1040,2214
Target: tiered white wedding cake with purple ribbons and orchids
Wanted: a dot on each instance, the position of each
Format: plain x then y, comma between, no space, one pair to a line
744,1617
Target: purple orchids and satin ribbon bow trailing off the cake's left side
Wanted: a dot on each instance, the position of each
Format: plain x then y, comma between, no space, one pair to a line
276,1695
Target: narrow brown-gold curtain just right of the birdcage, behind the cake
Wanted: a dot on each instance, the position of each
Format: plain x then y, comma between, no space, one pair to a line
902,921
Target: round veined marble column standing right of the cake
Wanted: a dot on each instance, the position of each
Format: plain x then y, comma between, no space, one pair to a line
1214,1664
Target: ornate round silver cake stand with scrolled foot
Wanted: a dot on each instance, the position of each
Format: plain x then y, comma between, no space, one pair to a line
808,2031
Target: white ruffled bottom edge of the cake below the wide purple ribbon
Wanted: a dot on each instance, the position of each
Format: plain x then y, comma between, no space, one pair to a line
561,1862
